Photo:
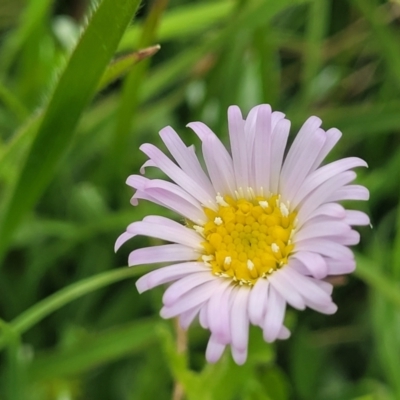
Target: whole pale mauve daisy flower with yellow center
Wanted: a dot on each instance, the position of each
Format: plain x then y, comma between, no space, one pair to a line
261,230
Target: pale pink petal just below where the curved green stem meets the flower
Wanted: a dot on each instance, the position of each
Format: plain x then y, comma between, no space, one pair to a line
168,274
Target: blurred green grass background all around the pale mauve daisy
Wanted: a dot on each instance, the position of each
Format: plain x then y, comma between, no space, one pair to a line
75,104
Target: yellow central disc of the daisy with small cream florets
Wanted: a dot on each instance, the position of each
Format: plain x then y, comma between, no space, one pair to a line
247,239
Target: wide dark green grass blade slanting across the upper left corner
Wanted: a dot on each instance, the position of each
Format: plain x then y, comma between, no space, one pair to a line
74,90
